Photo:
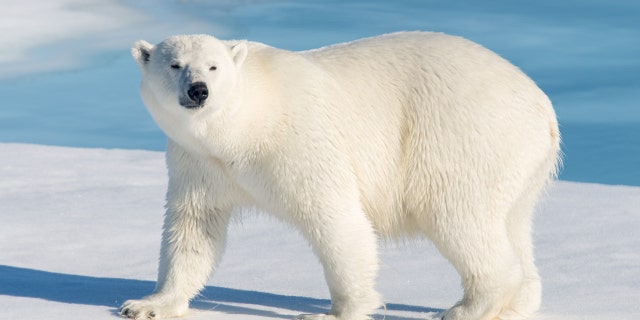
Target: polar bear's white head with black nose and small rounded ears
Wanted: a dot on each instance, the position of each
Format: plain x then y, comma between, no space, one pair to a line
189,72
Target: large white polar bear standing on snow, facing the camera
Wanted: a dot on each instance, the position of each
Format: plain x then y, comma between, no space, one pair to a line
402,135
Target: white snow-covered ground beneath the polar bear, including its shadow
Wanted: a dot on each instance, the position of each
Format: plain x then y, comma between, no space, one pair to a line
80,234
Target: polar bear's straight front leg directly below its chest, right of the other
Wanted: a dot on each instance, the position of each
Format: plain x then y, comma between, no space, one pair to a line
346,244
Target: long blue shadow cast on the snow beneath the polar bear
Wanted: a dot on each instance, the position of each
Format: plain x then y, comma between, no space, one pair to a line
111,292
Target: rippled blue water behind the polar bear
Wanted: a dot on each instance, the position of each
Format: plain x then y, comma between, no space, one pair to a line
584,54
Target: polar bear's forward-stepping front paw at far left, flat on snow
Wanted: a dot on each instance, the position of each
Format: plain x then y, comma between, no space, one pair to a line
150,309
